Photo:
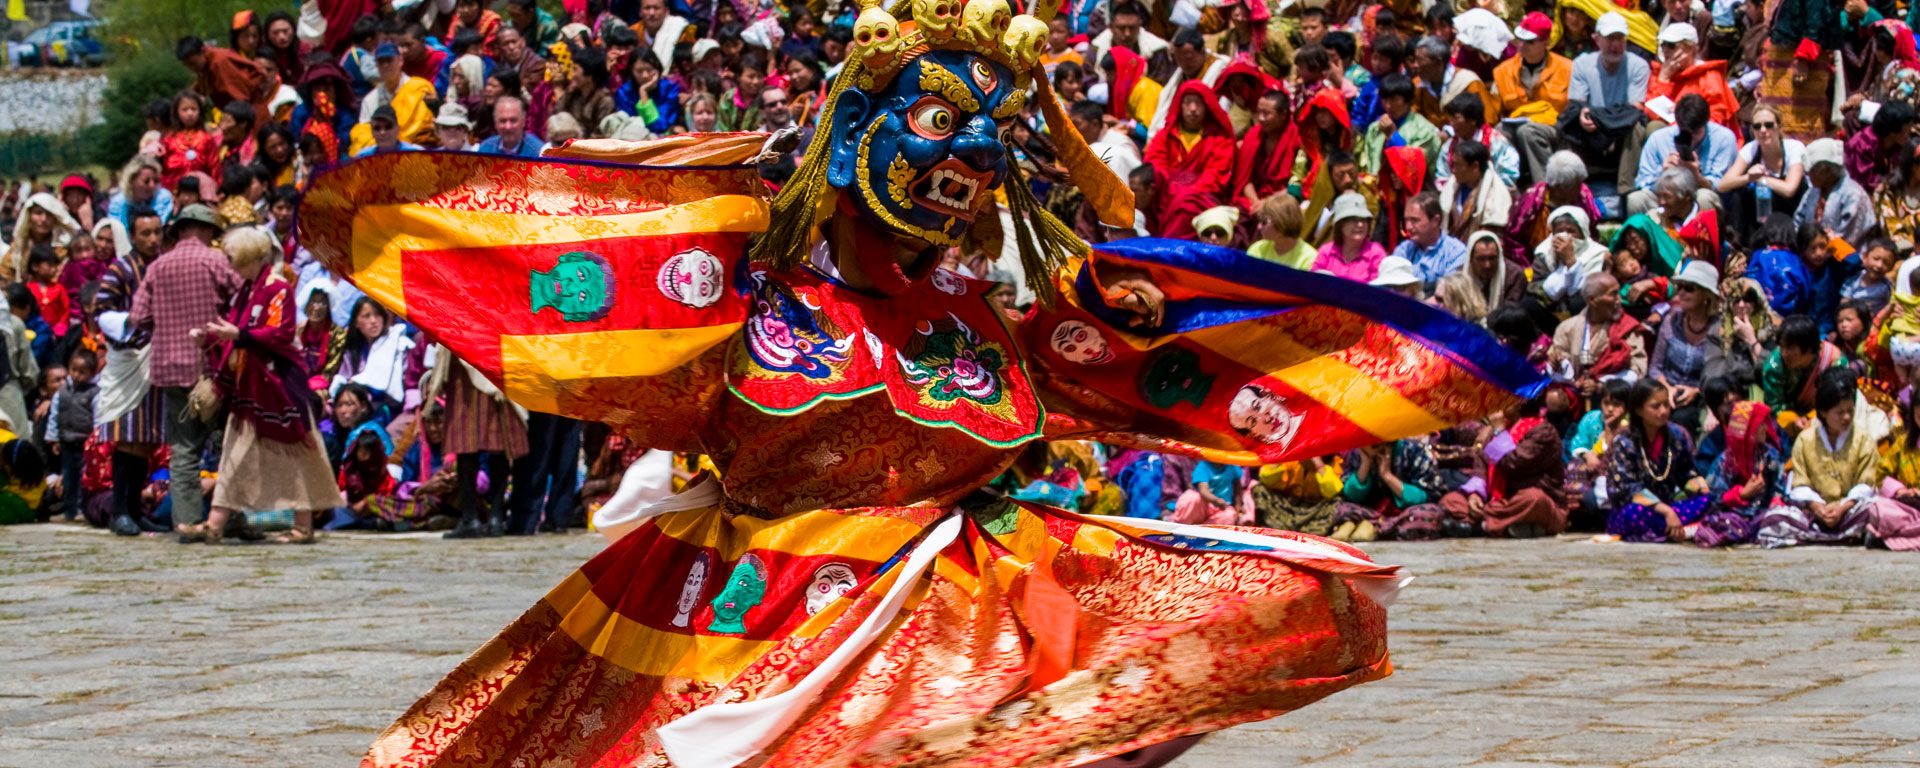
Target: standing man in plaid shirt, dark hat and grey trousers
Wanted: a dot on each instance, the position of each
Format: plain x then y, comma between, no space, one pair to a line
185,289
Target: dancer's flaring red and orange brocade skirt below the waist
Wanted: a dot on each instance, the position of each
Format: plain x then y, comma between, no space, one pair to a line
1013,636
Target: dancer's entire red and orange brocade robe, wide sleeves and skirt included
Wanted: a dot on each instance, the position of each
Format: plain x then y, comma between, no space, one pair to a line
827,602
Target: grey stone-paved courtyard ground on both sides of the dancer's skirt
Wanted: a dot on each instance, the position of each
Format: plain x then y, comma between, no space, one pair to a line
1548,654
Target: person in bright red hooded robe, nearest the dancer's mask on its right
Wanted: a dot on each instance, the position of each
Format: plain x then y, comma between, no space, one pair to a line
1193,160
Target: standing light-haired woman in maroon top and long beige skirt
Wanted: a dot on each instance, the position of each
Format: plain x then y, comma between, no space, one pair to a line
272,456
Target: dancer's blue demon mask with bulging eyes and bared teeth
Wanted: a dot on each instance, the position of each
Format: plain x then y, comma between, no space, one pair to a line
924,155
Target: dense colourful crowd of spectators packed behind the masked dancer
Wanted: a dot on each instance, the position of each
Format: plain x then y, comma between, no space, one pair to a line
1698,218
